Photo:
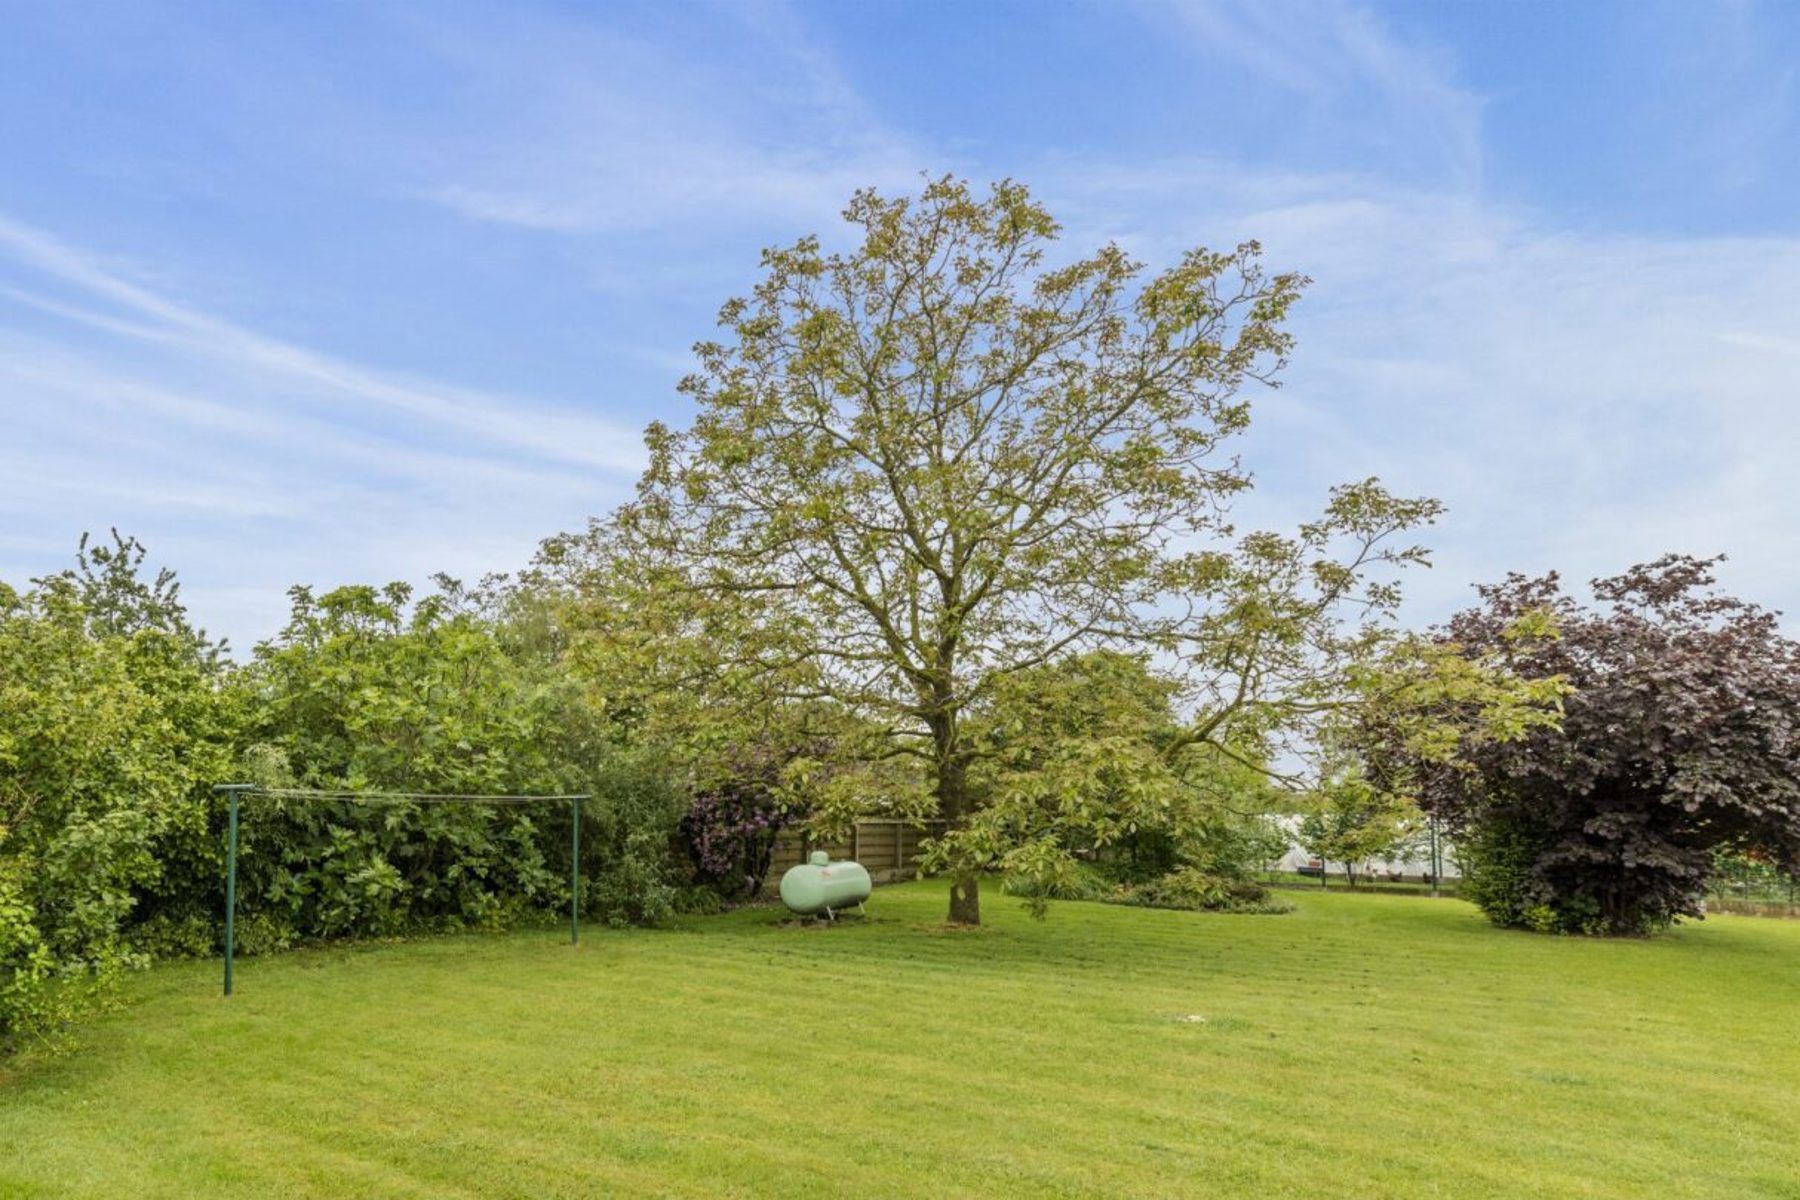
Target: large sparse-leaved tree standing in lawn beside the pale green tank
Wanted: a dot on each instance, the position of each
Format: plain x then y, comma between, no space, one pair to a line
942,458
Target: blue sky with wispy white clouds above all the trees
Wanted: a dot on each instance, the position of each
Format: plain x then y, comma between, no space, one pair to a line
352,292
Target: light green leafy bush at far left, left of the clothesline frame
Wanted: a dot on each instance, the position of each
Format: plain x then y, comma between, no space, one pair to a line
112,726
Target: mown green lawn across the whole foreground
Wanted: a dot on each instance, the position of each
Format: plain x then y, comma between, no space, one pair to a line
1371,1046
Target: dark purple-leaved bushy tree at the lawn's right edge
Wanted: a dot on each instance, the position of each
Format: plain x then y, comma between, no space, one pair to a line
1680,739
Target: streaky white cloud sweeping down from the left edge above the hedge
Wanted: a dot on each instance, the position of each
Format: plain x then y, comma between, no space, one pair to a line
253,463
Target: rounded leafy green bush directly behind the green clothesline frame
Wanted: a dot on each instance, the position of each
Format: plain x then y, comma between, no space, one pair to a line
368,690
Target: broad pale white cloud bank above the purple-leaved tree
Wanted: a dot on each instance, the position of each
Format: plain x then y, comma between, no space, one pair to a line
1581,400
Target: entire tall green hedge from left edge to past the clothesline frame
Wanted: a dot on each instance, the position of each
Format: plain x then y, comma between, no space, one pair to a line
118,717
